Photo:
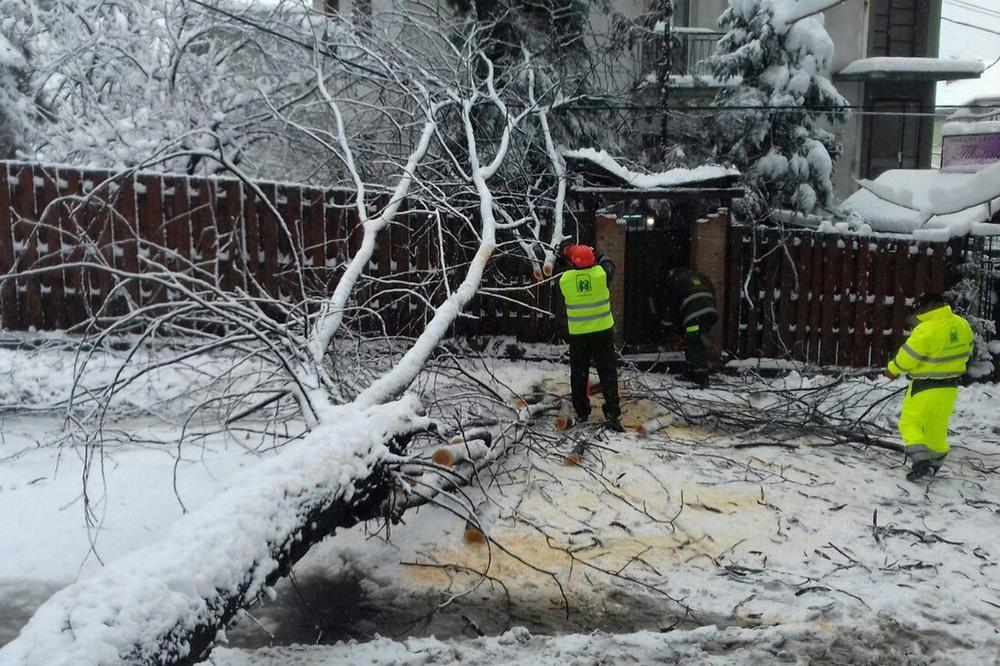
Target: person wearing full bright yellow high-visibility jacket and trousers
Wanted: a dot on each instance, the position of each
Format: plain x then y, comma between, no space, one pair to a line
934,358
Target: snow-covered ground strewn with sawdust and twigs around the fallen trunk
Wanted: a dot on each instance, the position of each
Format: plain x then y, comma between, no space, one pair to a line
678,544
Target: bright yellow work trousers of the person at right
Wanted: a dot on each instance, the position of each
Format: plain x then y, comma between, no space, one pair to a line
924,423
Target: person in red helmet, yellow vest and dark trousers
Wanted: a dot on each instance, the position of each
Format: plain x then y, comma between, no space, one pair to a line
584,288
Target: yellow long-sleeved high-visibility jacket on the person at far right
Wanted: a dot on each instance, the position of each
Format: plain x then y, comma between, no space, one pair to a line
938,348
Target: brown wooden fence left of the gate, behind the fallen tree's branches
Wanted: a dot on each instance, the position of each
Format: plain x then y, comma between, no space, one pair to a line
222,228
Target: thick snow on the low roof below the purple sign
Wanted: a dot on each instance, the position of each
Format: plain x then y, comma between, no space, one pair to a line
929,204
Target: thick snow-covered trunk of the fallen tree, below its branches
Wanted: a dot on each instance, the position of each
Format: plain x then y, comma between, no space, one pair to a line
135,607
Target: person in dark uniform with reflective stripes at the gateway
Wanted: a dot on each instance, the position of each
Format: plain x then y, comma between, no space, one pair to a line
687,306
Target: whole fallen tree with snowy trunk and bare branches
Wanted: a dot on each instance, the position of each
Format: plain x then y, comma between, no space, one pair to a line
317,360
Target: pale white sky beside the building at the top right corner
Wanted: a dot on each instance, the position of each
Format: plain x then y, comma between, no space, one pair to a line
959,41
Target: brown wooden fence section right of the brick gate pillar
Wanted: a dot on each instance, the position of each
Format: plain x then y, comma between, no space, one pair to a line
828,299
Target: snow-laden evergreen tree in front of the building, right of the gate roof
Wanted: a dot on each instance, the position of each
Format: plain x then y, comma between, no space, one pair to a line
771,126
